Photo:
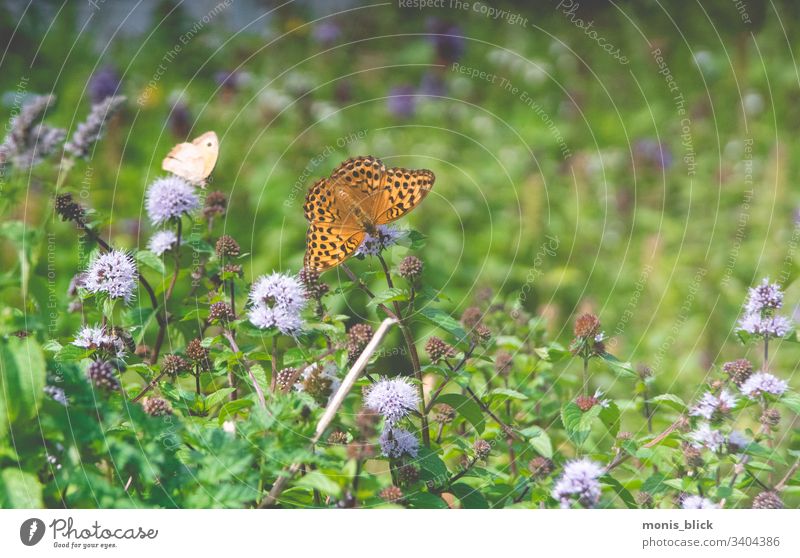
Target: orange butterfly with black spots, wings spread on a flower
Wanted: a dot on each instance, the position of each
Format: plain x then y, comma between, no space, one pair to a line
359,195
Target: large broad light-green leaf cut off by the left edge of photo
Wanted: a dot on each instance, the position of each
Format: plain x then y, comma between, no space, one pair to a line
22,379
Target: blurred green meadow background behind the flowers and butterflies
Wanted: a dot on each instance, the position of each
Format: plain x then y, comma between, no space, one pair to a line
578,171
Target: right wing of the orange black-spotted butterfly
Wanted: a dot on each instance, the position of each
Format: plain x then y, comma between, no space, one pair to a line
400,192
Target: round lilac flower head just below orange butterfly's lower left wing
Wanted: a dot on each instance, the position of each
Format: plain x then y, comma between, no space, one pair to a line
276,301
